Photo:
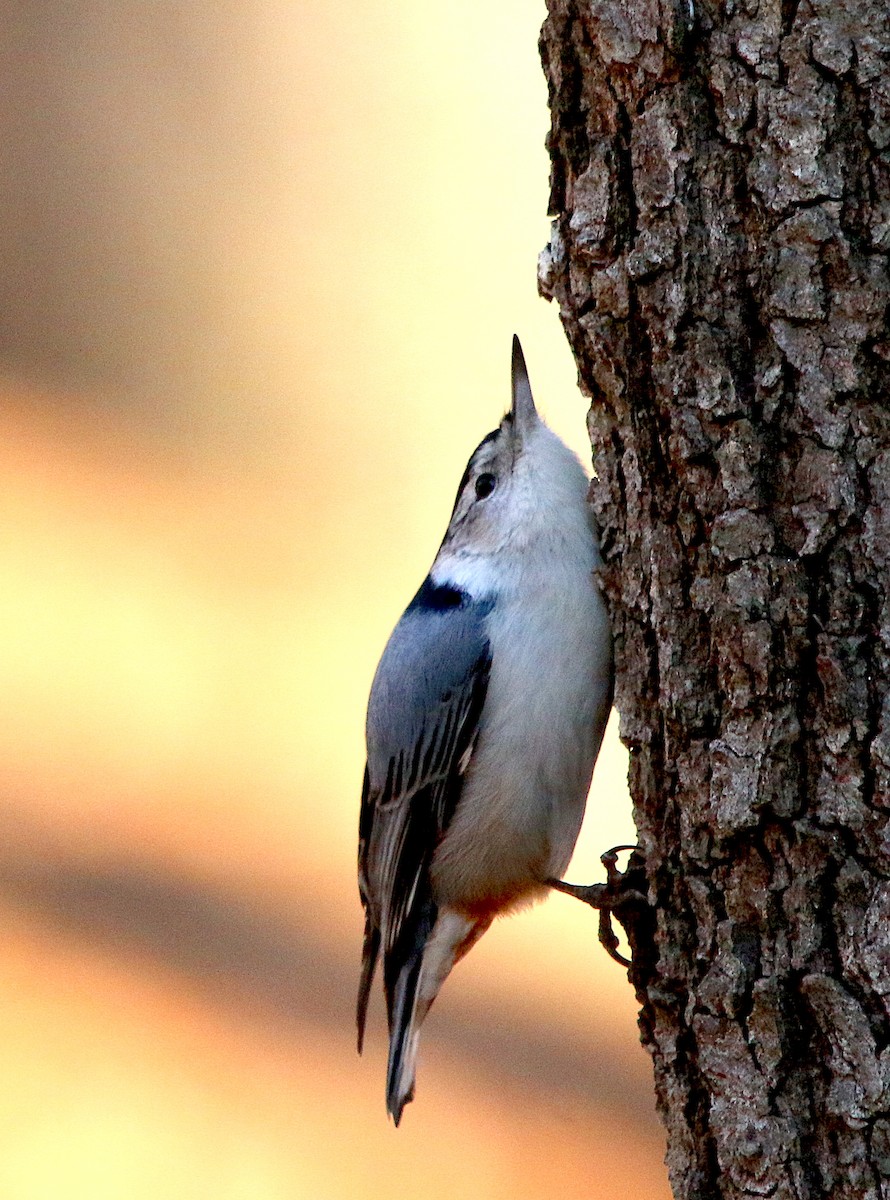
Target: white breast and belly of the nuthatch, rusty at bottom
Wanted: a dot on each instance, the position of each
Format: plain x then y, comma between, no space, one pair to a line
545,715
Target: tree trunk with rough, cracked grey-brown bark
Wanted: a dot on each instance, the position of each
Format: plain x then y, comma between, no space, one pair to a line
720,254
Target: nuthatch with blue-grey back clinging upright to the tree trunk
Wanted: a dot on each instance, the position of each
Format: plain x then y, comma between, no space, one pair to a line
485,719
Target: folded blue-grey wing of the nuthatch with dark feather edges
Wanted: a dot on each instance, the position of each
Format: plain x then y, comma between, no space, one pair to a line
423,721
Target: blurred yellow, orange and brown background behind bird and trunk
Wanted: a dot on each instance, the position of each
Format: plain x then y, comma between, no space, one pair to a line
260,269
